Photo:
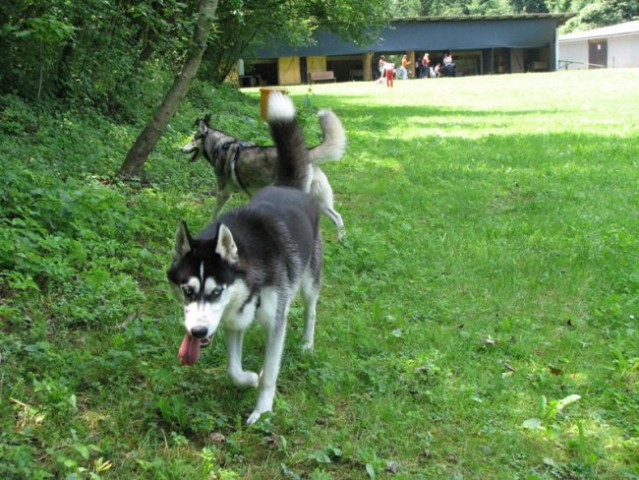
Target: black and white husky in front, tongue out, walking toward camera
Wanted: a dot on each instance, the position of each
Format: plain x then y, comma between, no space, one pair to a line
250,262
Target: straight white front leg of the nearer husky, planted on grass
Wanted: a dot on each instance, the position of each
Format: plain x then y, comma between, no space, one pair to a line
272,359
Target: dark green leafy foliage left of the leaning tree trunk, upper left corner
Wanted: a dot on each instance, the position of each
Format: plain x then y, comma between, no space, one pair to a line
89,52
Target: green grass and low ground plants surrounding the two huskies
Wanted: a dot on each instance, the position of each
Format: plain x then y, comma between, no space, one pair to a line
479,321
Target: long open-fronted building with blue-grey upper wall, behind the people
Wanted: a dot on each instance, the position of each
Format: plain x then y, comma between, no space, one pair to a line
480,45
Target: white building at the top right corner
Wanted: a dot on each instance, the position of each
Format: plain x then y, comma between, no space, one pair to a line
616,46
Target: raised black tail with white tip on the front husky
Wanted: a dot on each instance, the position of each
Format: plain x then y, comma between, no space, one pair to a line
293,169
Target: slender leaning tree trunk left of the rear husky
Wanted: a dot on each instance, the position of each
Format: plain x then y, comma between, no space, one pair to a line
139,152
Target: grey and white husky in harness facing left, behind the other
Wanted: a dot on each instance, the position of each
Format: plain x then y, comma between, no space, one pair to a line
243,166
